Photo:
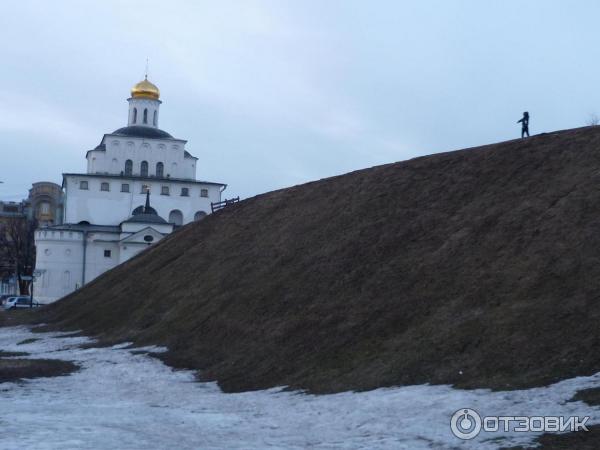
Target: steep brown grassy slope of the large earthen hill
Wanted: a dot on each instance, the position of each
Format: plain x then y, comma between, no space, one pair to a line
479,267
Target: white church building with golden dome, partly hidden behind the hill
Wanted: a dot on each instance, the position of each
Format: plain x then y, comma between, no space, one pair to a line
140,184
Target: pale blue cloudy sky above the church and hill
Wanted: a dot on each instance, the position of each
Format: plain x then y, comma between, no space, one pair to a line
275,93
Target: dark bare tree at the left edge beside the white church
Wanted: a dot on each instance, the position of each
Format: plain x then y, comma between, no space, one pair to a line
17,248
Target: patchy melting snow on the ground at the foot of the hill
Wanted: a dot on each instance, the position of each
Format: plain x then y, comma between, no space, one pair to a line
122,400
